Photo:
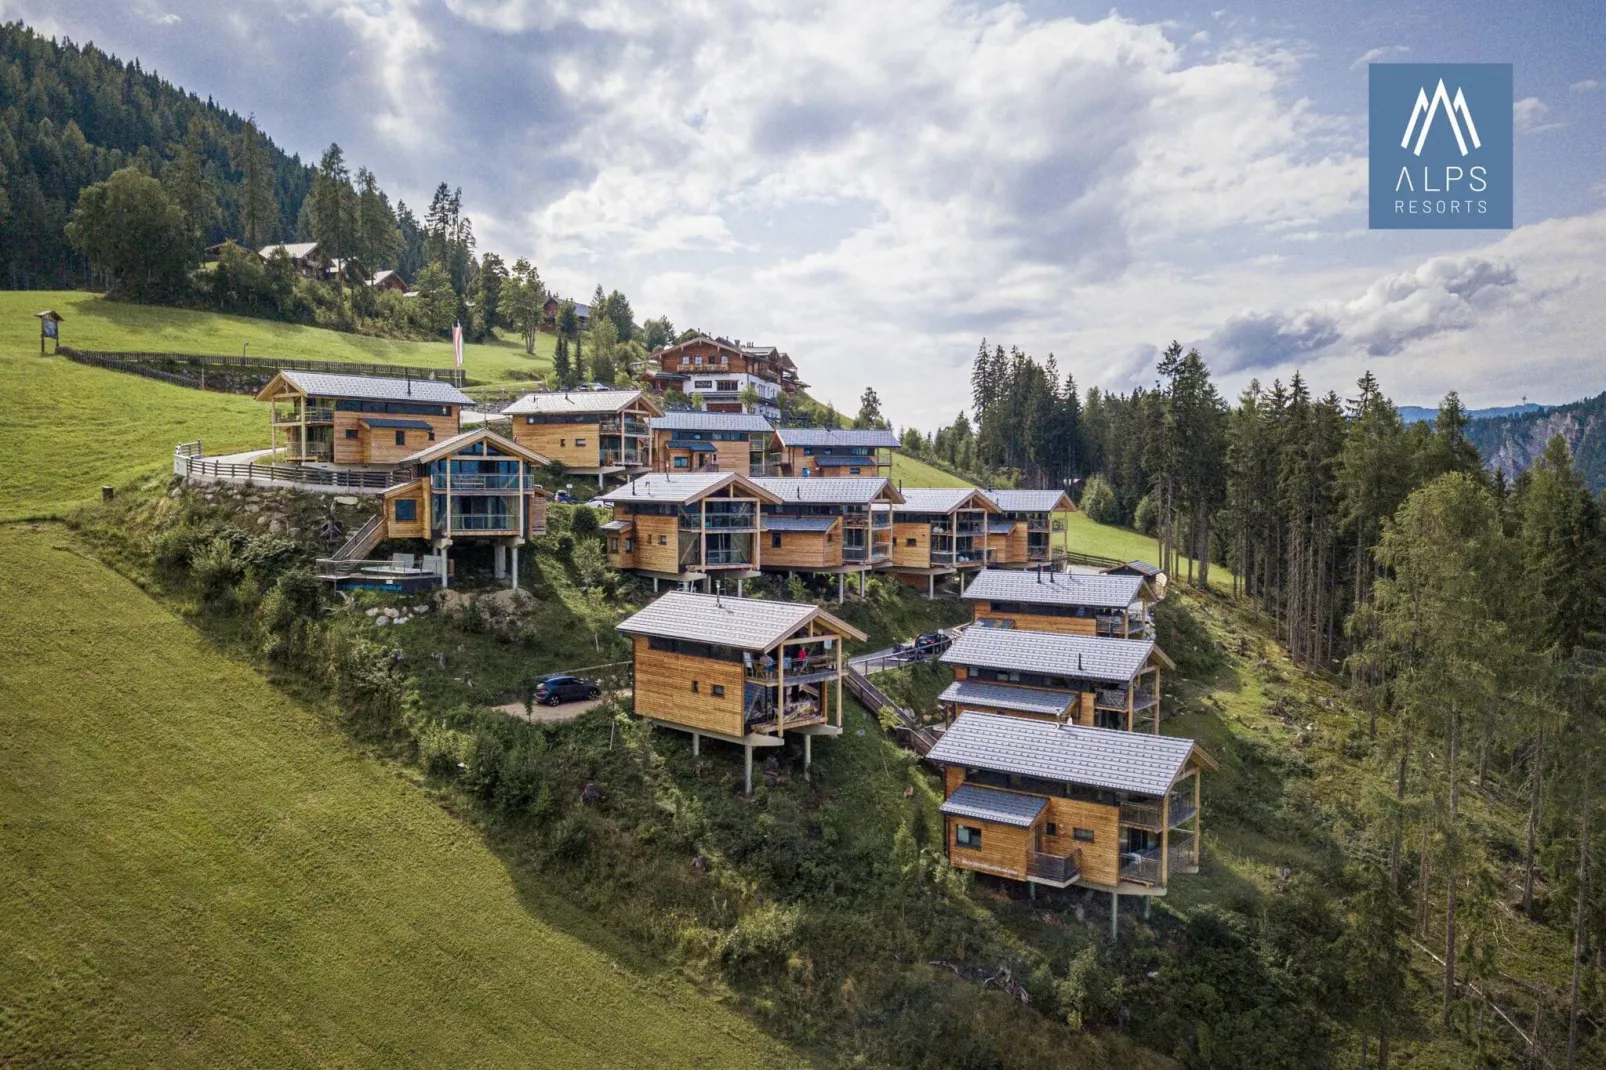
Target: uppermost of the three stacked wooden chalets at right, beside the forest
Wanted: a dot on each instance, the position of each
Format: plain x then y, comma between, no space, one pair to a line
1070,603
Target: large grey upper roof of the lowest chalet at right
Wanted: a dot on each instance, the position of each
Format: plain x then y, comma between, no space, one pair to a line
1070,754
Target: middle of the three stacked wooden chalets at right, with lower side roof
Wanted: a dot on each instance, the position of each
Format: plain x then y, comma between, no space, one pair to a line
1043,676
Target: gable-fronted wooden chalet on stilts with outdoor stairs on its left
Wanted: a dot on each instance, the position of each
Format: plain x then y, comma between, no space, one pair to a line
471,488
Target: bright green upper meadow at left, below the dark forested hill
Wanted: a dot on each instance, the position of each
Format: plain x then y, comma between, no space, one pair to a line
71,430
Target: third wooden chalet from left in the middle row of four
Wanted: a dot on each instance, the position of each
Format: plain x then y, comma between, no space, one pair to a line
940,531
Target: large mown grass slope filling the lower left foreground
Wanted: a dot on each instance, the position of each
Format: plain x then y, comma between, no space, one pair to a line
195,872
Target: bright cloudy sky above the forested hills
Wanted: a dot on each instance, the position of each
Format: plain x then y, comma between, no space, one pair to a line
876,187
